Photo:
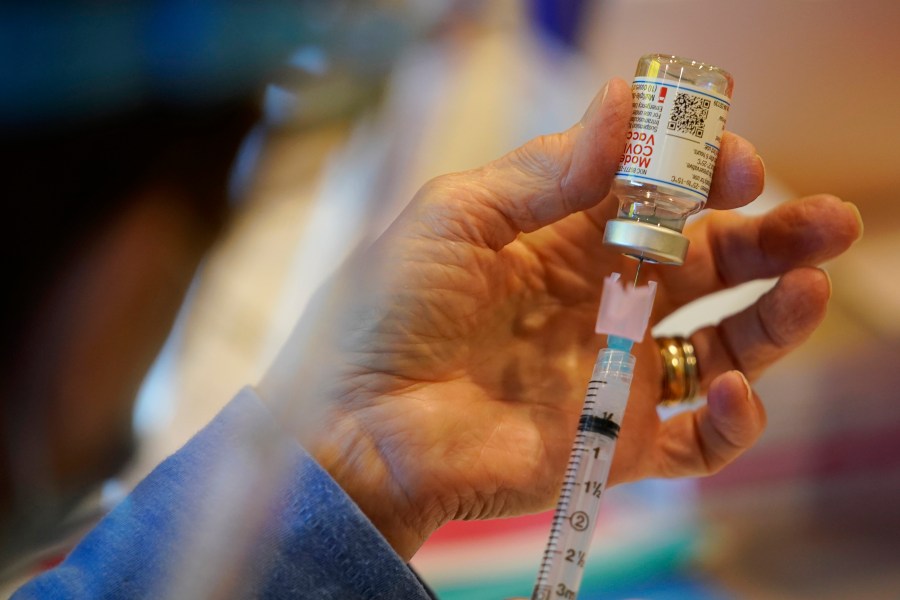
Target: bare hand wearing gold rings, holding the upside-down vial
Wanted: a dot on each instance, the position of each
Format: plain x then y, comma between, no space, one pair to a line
463,338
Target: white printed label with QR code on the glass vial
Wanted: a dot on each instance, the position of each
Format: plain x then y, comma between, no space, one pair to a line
674,136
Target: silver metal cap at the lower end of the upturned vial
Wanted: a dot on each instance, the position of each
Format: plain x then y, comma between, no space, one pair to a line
647,241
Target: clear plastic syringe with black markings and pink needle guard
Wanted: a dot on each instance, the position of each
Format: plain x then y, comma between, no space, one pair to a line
622,311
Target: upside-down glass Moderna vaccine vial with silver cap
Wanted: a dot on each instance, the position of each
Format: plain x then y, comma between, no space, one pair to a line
679,112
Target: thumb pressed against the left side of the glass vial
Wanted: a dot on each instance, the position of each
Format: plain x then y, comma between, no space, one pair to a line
548,178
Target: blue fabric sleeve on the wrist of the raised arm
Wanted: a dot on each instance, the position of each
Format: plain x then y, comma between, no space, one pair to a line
241,511
